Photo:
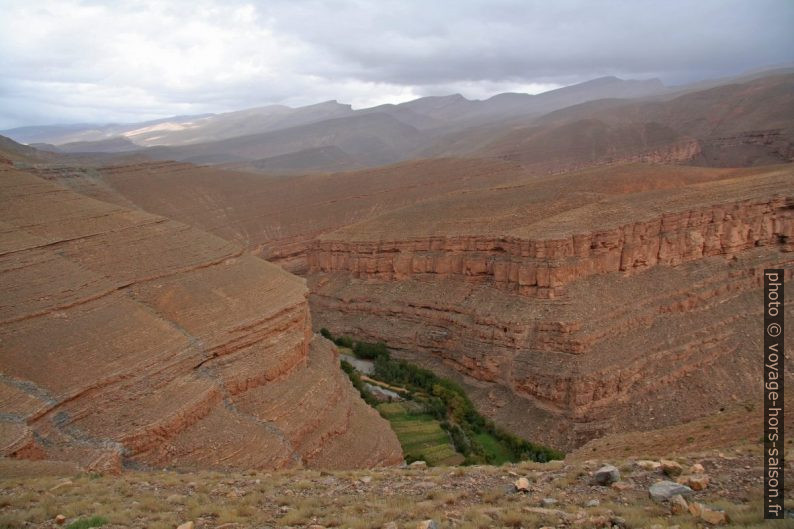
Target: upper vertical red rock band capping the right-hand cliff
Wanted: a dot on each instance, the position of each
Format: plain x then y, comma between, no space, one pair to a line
542,267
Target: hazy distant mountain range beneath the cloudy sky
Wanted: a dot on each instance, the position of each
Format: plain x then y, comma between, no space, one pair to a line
598,119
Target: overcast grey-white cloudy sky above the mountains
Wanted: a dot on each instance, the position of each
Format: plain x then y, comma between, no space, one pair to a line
67,61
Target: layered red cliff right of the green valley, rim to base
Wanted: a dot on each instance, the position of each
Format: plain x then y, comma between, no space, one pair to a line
565,333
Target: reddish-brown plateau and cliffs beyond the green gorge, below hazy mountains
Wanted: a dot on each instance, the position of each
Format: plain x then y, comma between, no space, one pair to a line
482,270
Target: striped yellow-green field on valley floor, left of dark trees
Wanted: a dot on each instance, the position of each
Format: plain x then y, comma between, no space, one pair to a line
420,436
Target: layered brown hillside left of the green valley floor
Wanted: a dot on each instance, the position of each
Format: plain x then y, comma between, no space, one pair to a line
130,339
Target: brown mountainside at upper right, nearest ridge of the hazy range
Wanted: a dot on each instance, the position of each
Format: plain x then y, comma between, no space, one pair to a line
733,125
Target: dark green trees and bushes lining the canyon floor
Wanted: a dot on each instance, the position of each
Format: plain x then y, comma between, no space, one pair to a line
473,436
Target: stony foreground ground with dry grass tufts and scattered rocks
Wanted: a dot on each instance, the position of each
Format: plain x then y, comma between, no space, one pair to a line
558,494
